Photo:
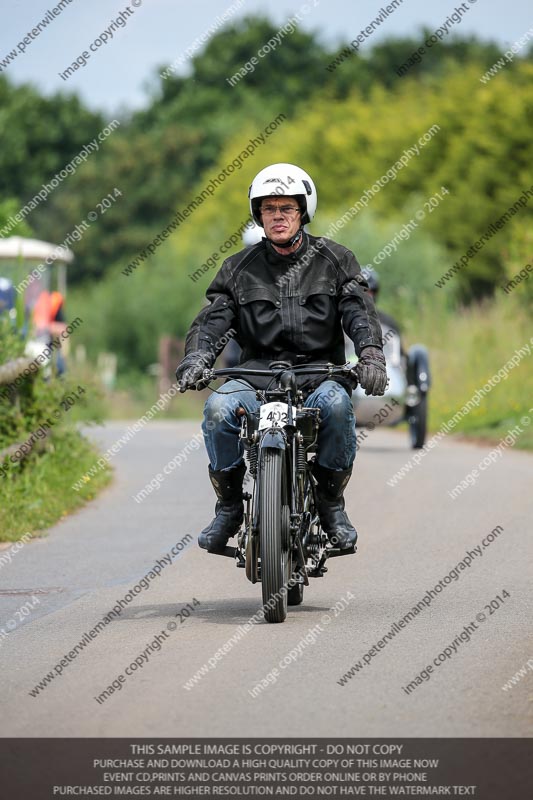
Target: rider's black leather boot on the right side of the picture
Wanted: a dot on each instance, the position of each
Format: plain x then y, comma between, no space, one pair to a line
330,506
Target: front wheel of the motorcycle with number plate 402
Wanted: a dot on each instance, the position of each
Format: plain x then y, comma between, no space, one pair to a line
273,536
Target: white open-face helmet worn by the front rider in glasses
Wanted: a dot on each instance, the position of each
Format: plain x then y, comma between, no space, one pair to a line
283,180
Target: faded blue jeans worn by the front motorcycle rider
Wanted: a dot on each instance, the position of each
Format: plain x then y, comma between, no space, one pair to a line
336,435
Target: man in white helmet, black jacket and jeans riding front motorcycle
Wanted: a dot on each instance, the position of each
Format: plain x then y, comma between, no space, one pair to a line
288,298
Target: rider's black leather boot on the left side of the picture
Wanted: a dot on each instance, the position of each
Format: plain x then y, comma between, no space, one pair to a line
229,511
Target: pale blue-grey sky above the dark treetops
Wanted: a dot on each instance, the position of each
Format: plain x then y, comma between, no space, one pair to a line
157,32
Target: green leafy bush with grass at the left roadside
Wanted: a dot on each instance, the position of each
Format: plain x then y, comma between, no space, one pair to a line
35,490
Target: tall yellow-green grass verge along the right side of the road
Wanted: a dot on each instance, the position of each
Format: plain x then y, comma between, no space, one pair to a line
468,348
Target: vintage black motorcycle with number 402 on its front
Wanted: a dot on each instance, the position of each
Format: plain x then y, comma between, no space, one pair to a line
281,544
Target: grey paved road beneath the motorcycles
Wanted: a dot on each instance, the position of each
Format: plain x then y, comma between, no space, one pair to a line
411,536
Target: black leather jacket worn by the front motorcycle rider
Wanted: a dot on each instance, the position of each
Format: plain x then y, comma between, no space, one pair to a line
290,308
